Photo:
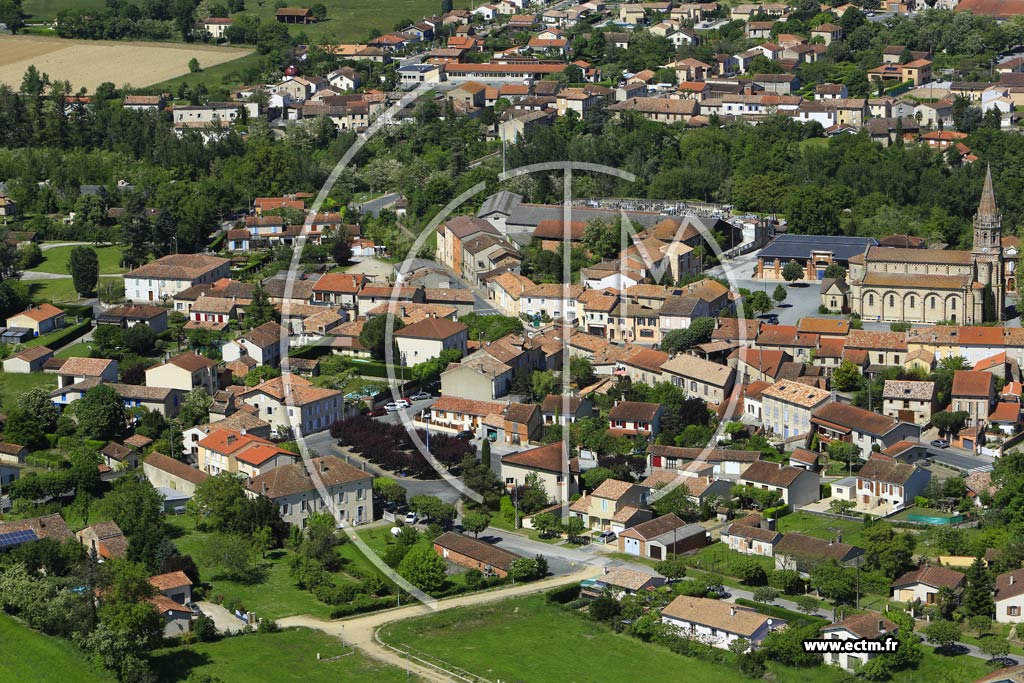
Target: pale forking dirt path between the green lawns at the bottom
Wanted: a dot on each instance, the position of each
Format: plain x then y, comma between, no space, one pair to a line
362,631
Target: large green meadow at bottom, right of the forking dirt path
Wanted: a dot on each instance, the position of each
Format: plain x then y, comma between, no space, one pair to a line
530,641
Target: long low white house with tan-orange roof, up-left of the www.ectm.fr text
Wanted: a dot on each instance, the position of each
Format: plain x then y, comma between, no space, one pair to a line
718,623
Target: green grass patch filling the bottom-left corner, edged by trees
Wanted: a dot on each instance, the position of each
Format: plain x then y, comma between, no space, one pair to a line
30,656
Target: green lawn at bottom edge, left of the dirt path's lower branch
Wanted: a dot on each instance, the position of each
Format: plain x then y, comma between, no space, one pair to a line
276,658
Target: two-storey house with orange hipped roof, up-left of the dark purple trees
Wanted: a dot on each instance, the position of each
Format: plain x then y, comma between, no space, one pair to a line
291,401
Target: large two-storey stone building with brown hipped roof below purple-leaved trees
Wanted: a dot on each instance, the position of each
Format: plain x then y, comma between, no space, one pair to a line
297,496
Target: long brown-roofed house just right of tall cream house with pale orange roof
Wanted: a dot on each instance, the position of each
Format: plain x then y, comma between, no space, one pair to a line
866,430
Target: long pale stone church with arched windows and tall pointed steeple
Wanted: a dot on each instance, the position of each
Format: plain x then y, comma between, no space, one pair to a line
891,285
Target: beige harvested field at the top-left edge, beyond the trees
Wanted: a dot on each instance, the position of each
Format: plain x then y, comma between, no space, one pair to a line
90,63
